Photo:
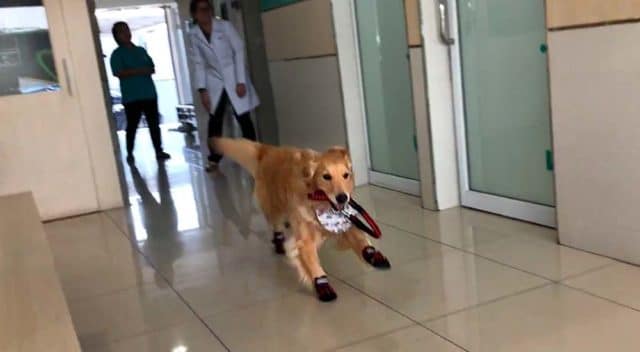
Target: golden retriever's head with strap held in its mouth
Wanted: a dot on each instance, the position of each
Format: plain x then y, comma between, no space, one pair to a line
331,173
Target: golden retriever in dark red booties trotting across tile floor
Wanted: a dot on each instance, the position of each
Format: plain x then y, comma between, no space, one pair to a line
284,179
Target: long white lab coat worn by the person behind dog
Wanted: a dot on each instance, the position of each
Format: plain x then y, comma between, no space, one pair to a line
220,65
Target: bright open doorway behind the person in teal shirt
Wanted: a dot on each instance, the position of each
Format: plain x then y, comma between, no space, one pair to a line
158,29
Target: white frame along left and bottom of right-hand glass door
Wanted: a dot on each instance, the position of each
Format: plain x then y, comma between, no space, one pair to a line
513,208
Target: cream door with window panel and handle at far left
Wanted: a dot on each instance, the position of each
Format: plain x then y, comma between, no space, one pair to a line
48,121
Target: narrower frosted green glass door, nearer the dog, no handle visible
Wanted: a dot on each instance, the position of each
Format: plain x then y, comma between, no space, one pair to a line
386,78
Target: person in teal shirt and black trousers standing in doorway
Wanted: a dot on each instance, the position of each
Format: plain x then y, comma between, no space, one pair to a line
134,67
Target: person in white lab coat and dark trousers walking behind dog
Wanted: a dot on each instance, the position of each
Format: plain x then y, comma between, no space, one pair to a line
220,75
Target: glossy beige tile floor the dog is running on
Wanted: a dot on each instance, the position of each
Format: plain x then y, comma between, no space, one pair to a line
189,267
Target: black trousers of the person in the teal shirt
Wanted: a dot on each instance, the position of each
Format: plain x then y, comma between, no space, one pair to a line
134,111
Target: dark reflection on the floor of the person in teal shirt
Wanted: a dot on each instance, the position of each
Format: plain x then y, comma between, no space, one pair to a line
160,219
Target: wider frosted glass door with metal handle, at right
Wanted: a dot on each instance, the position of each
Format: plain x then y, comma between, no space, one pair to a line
501,89
